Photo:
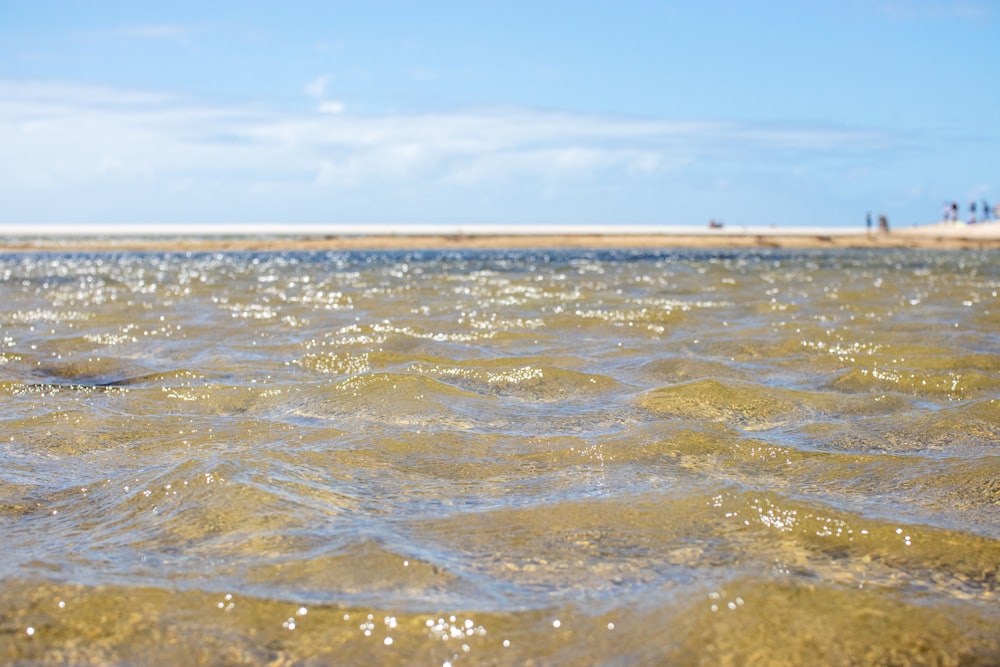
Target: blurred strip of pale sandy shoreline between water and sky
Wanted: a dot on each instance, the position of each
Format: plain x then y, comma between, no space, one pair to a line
945,236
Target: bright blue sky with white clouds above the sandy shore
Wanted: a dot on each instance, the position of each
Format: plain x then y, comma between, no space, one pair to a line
518,112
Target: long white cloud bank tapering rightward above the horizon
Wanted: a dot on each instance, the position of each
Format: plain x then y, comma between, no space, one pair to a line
55,136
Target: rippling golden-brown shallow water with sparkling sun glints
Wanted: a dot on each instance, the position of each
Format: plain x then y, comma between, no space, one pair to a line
500,458
